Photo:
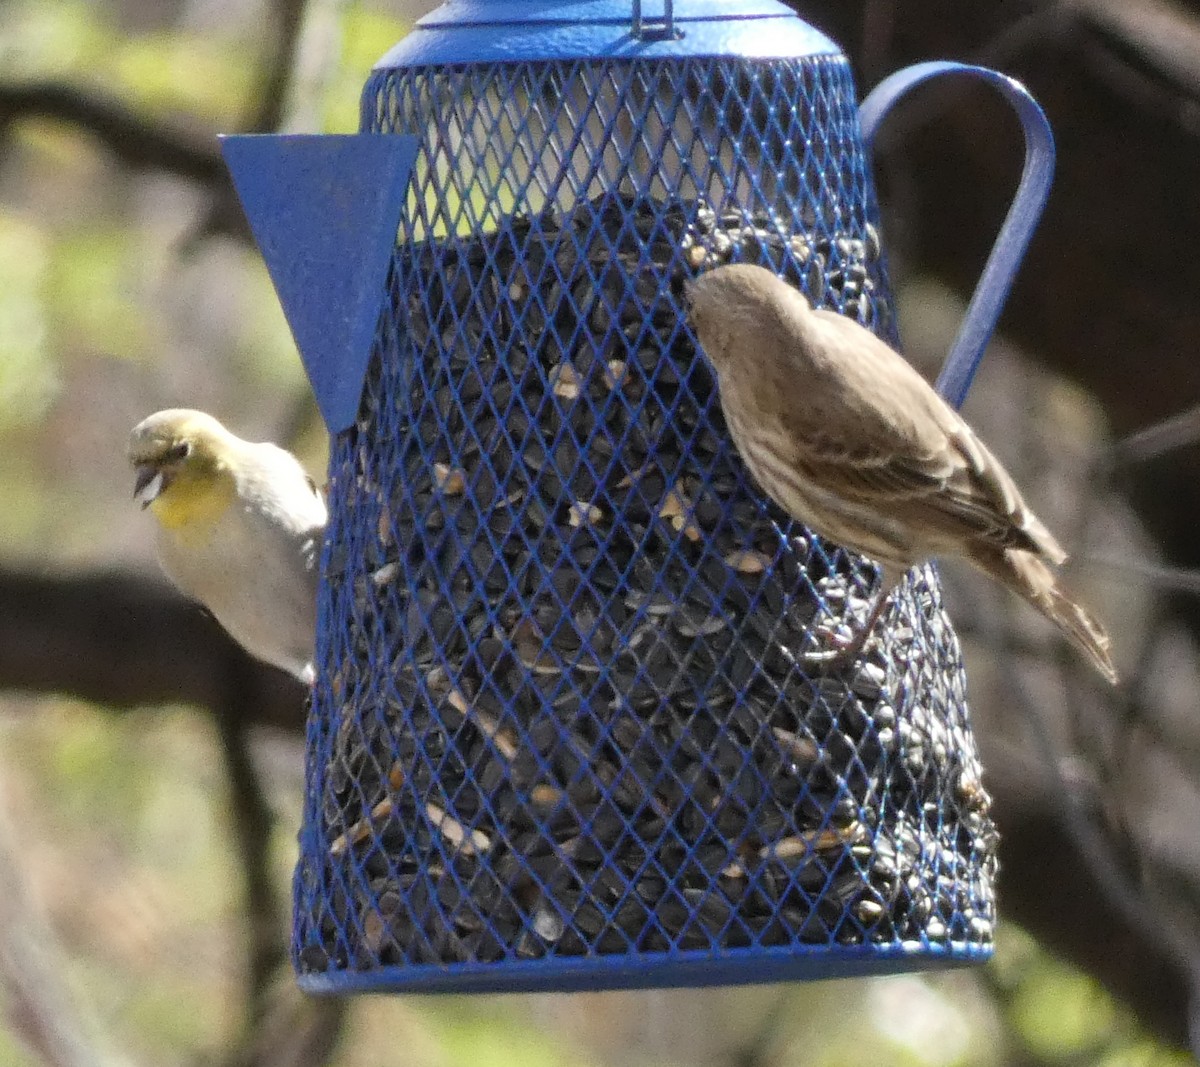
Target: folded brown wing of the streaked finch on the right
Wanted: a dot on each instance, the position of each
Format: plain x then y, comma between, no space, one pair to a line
887,440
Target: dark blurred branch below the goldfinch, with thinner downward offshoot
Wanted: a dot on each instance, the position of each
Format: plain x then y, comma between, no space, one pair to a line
123,642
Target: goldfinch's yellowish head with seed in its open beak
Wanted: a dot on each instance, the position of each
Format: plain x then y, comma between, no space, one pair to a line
179,458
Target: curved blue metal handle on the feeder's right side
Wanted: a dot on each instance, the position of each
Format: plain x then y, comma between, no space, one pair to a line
1023,217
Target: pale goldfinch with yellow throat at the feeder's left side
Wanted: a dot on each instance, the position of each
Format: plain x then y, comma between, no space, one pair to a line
239,530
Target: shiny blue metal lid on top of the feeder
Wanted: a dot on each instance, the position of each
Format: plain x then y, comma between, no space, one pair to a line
502,32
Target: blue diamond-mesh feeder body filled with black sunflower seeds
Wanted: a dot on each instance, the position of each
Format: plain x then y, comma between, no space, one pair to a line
571,729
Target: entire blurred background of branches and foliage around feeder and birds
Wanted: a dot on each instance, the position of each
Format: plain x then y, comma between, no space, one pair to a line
151,777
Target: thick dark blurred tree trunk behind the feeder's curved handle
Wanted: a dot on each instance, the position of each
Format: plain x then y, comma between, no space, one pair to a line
1109,295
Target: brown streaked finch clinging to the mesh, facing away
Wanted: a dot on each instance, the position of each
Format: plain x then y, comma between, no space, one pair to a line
844,435
